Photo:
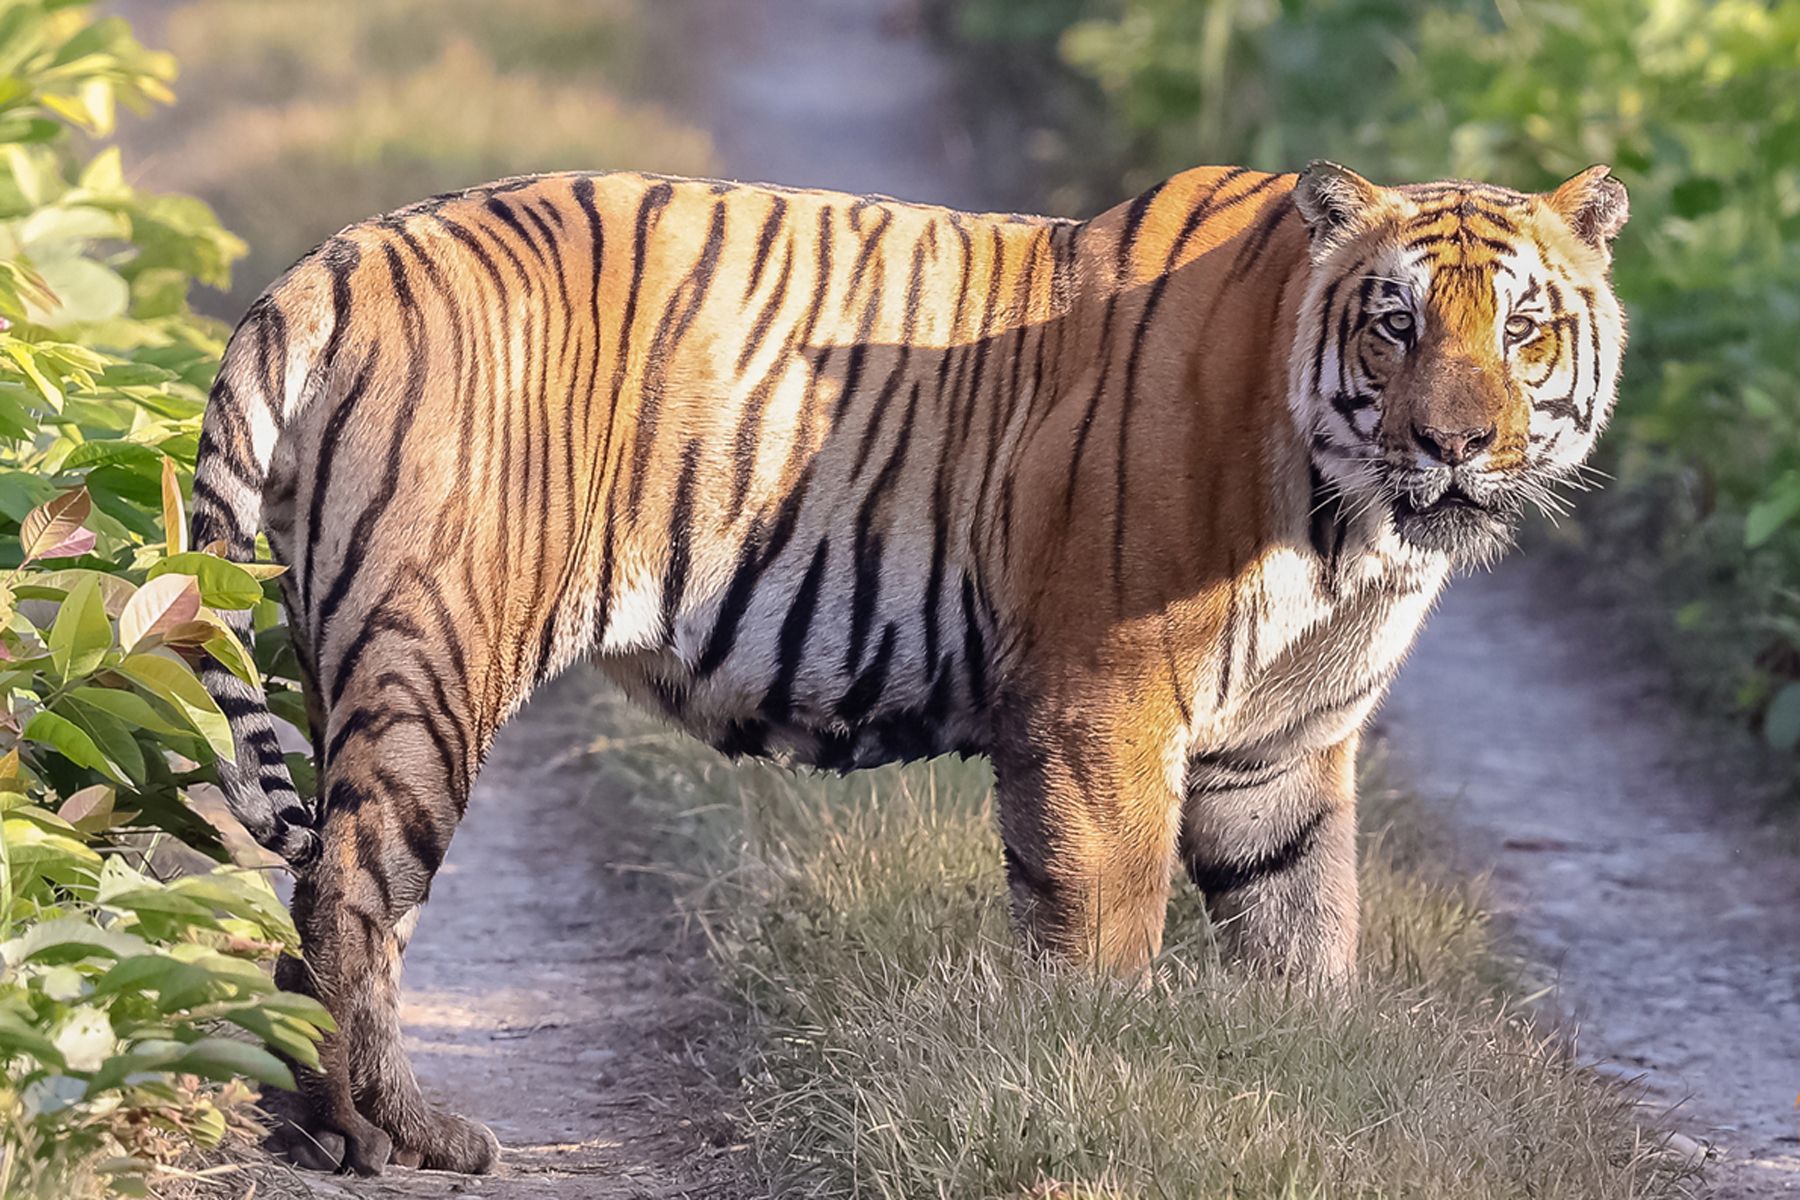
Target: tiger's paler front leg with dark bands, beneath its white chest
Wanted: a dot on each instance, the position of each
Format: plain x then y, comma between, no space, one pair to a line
1272,845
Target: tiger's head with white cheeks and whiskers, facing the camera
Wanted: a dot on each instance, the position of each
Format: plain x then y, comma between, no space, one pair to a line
1459,350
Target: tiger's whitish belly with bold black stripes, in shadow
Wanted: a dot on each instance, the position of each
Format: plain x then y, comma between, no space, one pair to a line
802,663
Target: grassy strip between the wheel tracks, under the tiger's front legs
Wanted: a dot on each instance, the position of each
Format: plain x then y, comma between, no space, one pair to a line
897,1046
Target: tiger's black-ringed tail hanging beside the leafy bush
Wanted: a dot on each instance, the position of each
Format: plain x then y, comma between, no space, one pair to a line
260,382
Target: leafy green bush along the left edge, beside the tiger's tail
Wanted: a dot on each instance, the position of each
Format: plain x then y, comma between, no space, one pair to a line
116,983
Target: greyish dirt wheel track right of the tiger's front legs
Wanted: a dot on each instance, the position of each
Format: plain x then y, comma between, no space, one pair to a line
1624,852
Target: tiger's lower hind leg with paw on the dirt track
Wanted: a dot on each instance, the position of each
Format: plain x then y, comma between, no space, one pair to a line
397,780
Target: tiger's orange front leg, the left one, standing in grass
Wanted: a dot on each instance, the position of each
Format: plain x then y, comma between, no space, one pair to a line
1088,814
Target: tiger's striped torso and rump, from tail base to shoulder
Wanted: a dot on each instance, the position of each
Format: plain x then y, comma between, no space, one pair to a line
739,442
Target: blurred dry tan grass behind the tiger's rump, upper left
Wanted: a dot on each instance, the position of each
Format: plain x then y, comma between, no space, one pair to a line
303,116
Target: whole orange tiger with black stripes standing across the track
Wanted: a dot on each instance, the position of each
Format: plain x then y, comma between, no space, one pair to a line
1146,508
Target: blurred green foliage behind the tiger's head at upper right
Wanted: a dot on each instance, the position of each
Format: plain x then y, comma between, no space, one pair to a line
1695,103
